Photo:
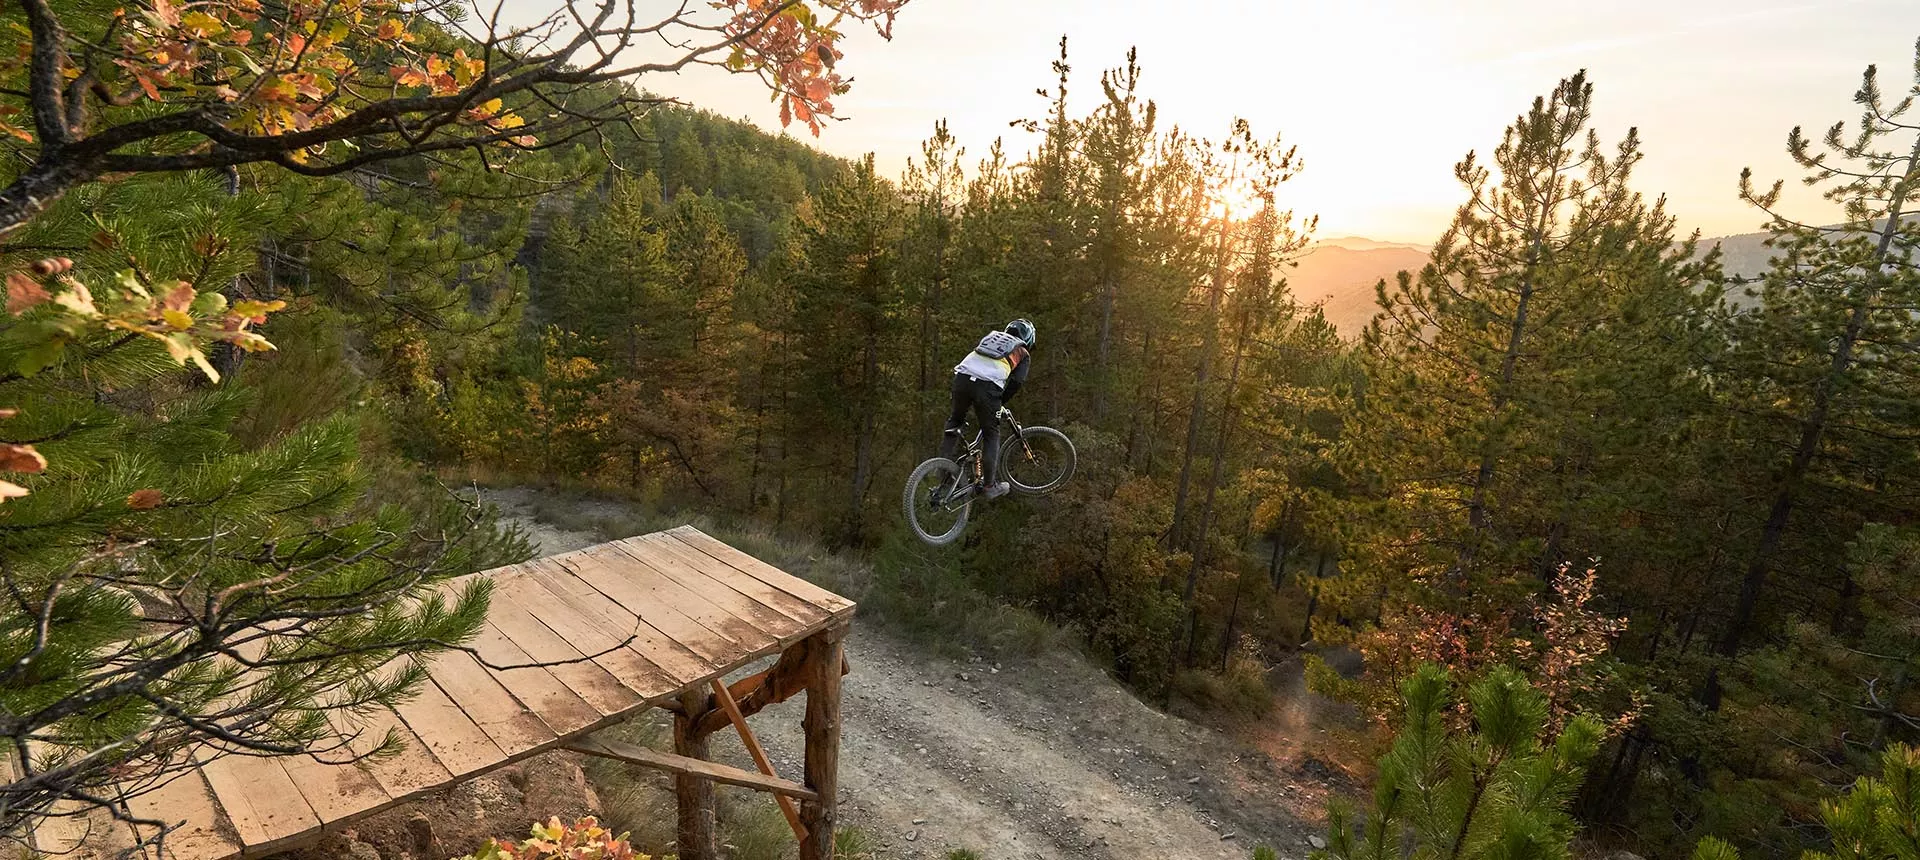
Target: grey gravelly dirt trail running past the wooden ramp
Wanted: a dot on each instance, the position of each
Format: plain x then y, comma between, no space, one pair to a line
1044,759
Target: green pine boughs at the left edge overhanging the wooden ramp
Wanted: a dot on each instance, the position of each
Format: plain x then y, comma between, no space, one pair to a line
172,585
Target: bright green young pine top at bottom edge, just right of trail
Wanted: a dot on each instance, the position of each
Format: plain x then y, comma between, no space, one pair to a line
1495,790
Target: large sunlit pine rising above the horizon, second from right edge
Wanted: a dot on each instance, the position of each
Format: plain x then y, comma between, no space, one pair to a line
1489,431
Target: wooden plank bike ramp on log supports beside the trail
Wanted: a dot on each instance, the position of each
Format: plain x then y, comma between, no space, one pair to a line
623,627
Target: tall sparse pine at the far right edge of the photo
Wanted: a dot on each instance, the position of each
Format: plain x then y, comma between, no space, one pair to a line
1815,373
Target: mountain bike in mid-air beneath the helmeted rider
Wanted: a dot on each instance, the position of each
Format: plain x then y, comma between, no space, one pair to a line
1034,462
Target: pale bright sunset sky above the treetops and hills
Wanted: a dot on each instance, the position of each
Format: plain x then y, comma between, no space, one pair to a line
1381,97
